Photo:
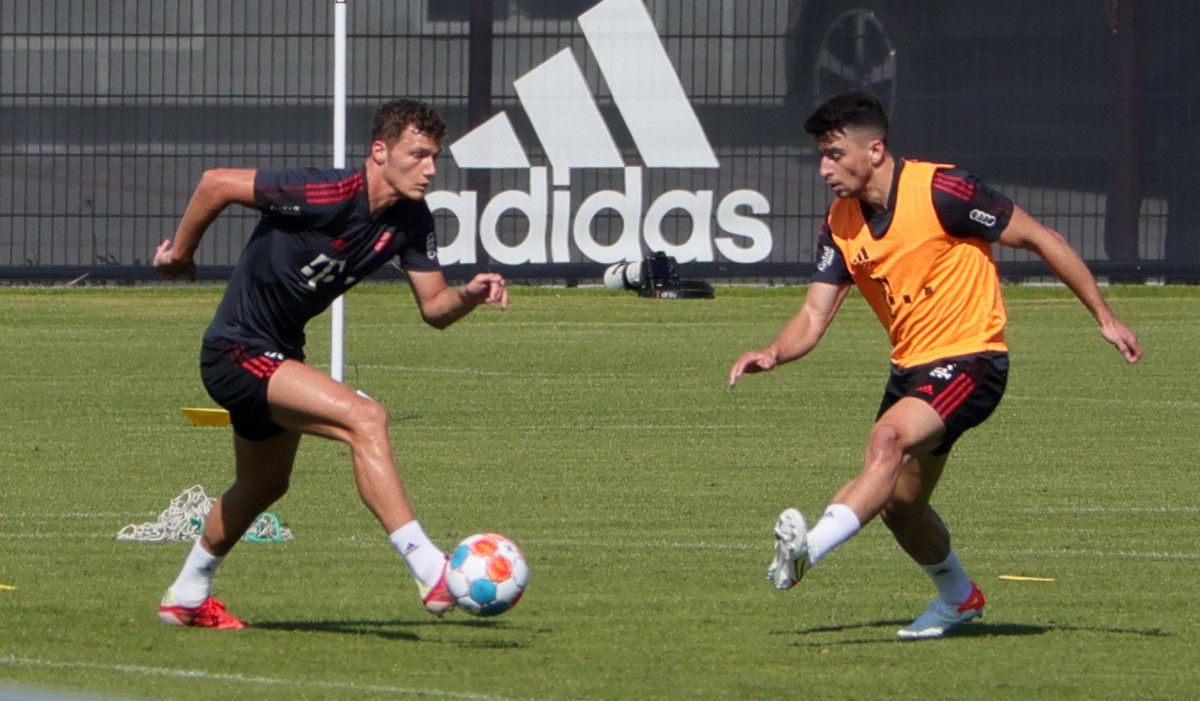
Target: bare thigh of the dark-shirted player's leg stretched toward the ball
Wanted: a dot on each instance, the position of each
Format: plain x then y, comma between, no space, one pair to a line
307,400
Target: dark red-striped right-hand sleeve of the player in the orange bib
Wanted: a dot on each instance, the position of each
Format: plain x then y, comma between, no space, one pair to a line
968,207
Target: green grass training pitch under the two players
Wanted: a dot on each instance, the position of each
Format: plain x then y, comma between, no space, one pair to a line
597,430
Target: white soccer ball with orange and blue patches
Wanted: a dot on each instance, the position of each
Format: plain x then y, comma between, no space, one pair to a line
488,574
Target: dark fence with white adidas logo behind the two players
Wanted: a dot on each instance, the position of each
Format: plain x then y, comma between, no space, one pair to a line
589,133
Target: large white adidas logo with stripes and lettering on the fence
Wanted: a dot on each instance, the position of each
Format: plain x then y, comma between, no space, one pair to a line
568,123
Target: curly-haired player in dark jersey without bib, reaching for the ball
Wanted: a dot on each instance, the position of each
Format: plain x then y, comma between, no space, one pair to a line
322,231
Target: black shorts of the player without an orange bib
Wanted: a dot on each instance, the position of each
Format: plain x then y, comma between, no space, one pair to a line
236,376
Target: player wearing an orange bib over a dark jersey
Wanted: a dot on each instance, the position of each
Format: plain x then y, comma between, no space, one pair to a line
916,239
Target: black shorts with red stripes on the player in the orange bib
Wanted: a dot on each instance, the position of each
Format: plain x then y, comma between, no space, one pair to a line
964,391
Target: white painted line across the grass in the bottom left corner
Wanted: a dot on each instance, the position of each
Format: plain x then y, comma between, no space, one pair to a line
145,672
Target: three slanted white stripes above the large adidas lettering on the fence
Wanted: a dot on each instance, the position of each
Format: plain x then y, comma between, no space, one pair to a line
567,121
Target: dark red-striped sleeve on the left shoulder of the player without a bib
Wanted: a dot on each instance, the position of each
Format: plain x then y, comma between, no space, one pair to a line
307,197
